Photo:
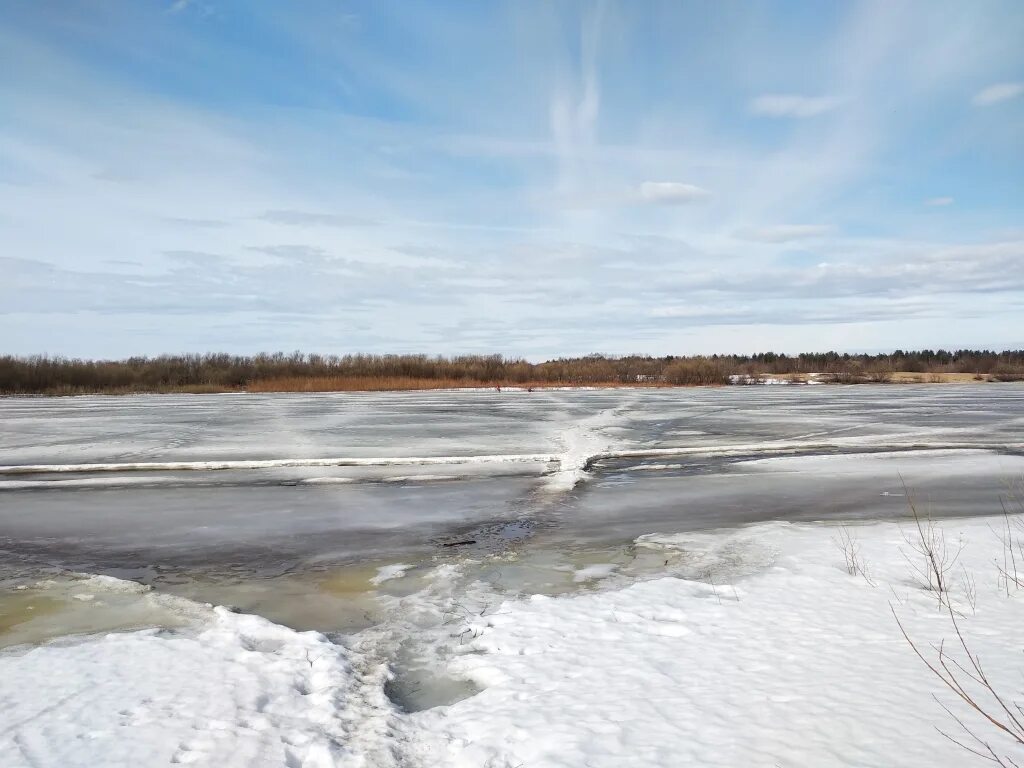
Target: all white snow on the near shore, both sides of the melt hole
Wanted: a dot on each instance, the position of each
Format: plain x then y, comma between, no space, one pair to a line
767,654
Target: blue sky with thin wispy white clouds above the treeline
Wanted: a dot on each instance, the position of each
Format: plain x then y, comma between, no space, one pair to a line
531,179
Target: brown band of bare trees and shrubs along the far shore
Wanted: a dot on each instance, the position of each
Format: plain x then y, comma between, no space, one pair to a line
41,375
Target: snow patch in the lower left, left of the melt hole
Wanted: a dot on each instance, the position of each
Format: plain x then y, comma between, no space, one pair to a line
242,692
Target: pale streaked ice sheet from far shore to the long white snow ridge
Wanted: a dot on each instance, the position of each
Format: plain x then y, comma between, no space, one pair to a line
196,430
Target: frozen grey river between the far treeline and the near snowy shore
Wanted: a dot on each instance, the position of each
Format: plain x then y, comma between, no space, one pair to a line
271,483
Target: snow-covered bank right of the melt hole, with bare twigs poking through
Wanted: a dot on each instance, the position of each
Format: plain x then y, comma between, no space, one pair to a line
770,655
